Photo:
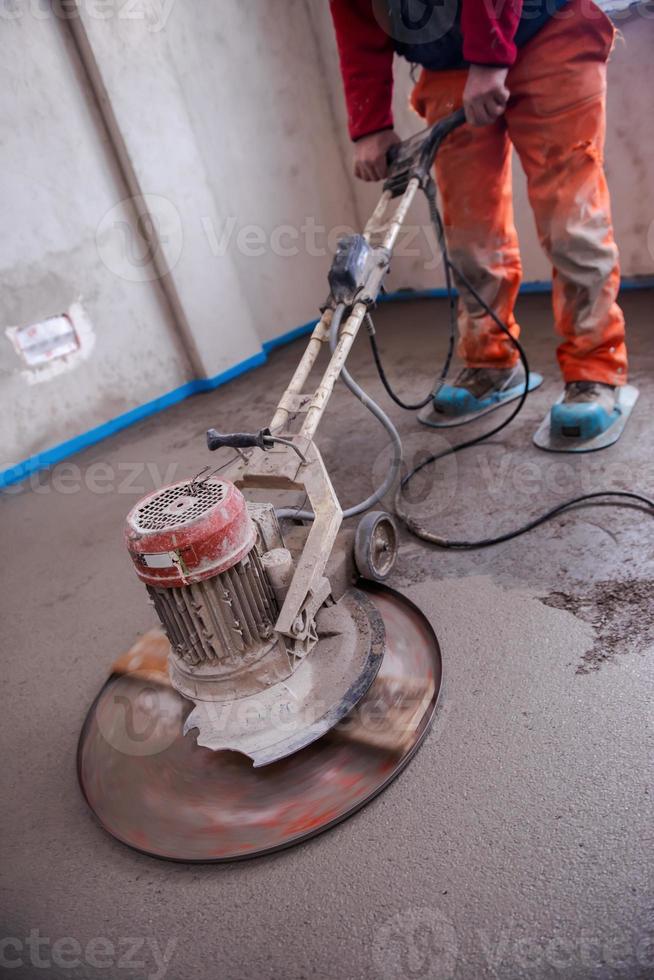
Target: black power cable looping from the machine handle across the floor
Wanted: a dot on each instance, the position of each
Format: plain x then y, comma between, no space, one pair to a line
424,533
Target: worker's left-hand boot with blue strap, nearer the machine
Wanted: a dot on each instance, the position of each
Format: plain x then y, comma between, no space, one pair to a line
477,389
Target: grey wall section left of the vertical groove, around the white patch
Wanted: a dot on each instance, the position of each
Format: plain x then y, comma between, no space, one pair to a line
59,180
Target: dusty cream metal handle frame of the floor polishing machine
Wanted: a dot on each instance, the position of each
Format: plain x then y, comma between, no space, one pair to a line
287,458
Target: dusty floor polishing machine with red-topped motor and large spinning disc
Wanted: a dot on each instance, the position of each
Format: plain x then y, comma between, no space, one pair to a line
287,684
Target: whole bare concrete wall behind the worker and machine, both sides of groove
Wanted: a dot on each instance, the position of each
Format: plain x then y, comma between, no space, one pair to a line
175,176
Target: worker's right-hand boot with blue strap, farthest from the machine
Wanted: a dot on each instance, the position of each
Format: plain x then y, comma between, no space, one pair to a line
588,409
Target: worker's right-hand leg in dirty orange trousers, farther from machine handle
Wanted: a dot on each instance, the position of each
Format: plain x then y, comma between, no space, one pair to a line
556,120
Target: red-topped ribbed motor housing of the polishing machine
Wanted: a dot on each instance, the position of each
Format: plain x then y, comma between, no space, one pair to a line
202,559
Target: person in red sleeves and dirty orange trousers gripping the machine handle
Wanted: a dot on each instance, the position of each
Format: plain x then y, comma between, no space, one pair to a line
530,76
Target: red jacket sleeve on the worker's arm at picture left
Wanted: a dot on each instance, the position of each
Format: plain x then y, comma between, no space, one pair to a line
366,55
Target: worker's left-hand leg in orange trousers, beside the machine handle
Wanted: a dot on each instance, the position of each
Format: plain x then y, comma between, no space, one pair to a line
473,168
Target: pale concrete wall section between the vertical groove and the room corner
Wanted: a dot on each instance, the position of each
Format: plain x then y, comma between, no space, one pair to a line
229,126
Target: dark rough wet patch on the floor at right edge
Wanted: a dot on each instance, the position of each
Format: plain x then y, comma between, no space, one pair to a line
619,612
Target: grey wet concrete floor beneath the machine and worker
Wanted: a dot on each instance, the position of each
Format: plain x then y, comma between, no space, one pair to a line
519,841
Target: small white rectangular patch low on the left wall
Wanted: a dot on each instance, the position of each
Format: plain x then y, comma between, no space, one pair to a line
55,345
